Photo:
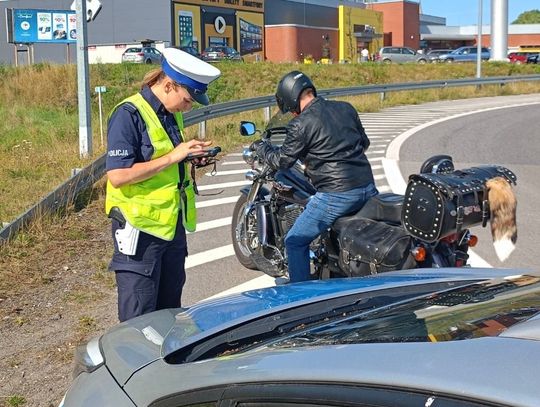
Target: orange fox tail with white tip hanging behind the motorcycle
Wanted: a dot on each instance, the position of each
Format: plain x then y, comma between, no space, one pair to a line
502,206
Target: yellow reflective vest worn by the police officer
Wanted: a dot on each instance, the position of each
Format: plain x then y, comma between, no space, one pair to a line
153,205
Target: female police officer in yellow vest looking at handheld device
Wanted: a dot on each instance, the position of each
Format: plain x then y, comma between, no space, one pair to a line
149,193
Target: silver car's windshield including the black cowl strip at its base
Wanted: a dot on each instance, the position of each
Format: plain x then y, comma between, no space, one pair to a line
430,312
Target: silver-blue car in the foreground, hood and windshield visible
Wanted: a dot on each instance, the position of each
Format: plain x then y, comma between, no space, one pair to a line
428,337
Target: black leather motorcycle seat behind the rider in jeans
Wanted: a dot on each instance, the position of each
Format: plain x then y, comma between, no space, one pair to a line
382,207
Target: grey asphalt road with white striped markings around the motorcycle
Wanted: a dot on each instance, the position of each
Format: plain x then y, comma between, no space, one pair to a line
506,136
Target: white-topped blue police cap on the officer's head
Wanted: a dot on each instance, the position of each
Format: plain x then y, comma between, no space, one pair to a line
189,71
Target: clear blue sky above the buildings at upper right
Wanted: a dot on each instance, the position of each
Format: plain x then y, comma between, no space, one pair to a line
465,12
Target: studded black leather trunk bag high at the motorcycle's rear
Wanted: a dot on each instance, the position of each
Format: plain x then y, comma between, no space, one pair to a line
438,205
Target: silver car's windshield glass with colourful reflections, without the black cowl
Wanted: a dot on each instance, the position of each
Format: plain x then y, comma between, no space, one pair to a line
479,310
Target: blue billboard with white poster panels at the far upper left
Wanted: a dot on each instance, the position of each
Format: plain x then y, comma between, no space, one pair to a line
28,26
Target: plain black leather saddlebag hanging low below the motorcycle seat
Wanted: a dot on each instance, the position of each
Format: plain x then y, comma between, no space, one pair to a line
370,247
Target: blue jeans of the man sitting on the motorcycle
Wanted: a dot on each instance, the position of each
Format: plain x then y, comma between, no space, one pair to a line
320,213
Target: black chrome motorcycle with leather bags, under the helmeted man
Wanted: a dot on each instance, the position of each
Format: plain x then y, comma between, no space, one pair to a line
429,226
